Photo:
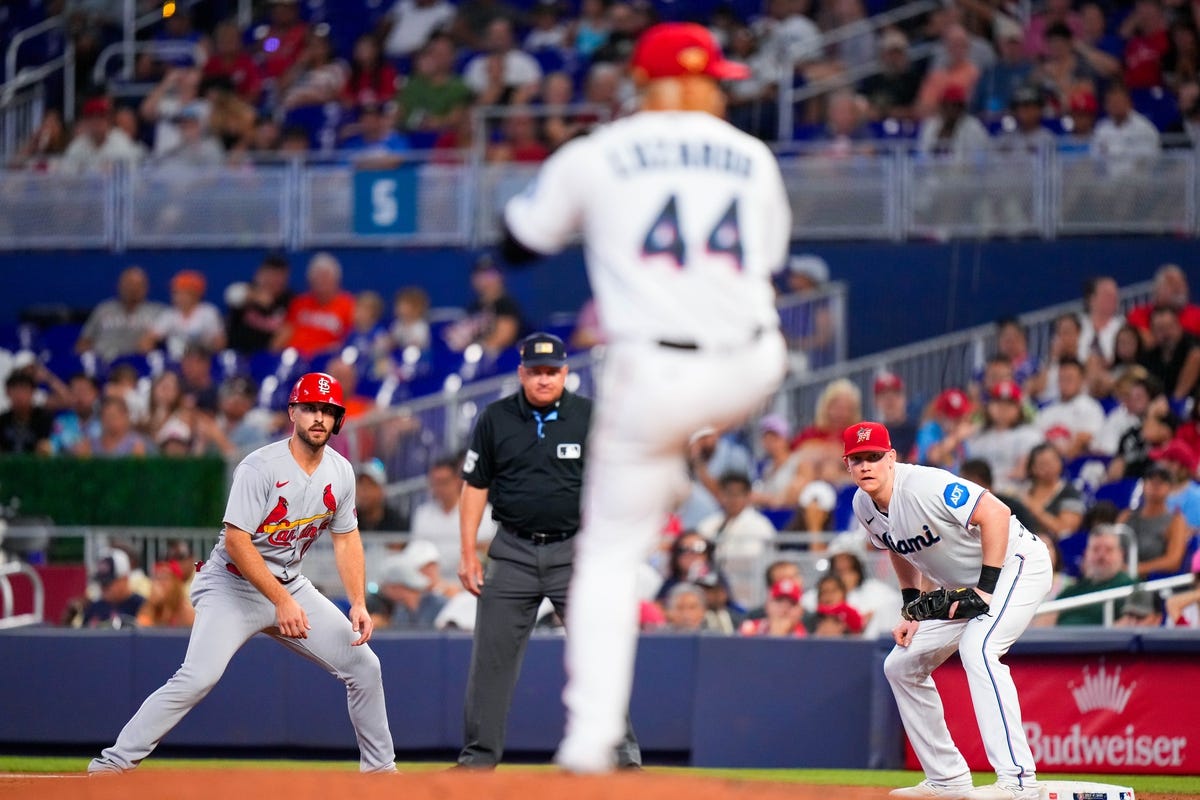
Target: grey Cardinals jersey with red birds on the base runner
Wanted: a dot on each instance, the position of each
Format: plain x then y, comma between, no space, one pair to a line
286,510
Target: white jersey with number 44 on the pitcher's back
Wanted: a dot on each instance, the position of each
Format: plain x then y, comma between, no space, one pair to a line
685,220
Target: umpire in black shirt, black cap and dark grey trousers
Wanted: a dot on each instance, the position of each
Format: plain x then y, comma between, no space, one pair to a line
526,456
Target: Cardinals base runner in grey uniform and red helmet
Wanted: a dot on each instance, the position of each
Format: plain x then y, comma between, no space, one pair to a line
284,497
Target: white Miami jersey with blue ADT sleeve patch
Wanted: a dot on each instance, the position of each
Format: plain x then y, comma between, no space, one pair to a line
928,525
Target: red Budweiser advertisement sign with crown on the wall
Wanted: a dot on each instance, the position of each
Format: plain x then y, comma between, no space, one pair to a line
1091,714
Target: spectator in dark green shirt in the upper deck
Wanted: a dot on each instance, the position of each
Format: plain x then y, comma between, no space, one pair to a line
434,99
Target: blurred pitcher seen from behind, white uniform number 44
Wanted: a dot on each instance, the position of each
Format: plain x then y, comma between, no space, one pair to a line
685,219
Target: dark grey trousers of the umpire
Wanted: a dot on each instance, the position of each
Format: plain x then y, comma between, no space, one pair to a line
519,575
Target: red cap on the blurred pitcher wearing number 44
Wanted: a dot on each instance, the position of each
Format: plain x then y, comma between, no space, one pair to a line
679,50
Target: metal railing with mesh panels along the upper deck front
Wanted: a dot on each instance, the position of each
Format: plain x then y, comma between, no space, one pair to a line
890,194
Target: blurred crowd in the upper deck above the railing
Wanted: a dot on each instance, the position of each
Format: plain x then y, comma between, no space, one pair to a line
375,81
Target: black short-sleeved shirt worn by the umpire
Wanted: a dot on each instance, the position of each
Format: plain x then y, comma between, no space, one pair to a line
533,482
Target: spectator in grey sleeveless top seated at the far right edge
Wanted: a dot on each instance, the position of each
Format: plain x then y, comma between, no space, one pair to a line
1162,533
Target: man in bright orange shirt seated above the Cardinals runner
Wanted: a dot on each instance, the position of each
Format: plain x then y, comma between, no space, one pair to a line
320,320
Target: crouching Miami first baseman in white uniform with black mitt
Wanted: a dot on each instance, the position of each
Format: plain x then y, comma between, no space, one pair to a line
988,575
